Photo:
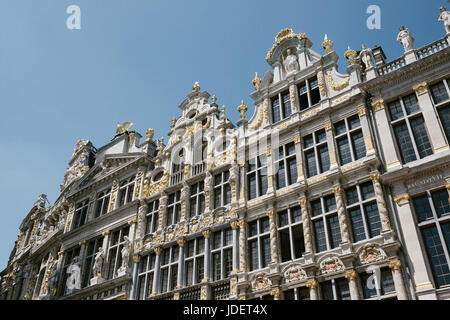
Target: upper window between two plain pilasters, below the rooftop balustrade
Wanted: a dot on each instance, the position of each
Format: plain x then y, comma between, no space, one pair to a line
409,128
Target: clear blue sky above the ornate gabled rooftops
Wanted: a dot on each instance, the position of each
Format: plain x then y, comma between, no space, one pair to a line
136,60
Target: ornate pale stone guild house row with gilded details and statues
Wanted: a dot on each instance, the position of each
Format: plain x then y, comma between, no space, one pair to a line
337,187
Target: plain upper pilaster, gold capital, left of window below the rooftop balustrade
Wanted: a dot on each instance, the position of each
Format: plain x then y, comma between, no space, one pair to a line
386,135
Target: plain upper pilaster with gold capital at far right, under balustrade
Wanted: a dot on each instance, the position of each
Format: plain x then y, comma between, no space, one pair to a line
429,114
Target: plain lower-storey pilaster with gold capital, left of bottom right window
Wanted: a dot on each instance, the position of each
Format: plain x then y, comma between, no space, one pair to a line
421,277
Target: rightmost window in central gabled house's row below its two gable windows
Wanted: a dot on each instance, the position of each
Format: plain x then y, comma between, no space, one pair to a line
349,140
